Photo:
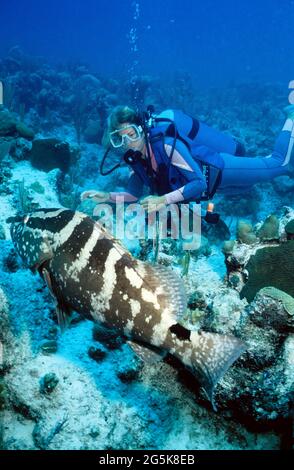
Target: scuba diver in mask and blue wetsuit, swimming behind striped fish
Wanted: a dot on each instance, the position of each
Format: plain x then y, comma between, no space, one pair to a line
182,160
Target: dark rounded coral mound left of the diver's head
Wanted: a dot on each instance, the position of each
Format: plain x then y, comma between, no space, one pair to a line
47,154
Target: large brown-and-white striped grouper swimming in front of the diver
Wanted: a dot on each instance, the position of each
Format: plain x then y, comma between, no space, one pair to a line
89,272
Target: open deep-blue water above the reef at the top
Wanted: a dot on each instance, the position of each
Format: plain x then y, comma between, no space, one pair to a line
217,42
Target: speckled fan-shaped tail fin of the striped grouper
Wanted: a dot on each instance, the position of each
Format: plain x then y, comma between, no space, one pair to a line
211,356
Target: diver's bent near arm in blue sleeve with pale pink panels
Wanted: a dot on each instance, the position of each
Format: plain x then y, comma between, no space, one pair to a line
190,170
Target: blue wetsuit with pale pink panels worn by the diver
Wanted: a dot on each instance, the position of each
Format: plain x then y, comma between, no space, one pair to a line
198,147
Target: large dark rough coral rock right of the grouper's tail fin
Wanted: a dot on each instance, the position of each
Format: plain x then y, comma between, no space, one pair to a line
258,389
